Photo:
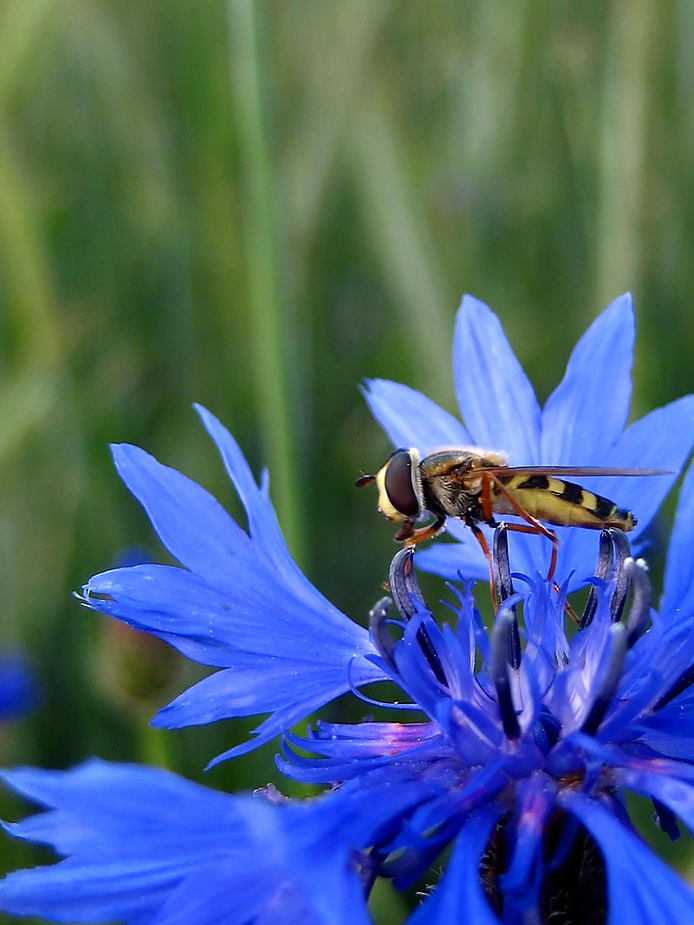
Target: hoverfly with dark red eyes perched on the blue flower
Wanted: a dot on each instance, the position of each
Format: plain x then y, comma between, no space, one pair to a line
472,485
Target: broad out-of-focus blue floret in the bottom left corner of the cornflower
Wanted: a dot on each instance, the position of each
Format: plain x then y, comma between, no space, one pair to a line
146,846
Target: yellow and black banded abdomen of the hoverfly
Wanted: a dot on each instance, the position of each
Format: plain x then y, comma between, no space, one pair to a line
562,503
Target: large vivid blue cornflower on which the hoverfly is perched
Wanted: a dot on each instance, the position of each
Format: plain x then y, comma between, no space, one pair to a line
530,737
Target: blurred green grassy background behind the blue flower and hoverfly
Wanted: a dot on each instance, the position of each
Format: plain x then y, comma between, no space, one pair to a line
257,205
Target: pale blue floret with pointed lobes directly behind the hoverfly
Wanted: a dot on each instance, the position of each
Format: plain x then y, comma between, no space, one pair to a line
582,424
